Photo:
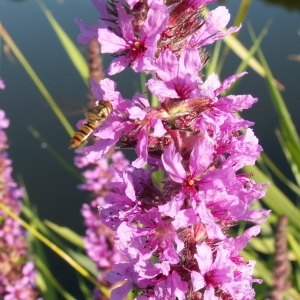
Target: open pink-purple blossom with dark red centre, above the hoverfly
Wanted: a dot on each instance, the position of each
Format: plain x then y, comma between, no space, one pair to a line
135,50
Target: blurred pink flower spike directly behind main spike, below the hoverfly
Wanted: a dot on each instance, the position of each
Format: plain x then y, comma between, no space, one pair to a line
99,239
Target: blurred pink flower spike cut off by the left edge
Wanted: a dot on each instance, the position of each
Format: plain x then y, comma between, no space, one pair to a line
17,273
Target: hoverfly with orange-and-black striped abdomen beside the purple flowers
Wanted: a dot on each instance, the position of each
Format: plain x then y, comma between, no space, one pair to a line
95,117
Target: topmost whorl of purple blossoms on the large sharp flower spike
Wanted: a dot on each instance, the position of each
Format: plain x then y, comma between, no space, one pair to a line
137,31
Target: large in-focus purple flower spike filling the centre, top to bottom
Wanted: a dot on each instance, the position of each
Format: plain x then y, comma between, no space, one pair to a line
175,233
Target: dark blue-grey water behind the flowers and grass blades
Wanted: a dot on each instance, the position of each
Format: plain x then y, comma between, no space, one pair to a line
52,190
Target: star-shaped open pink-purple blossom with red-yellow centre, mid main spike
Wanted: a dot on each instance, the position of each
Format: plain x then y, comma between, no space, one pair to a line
199,177
